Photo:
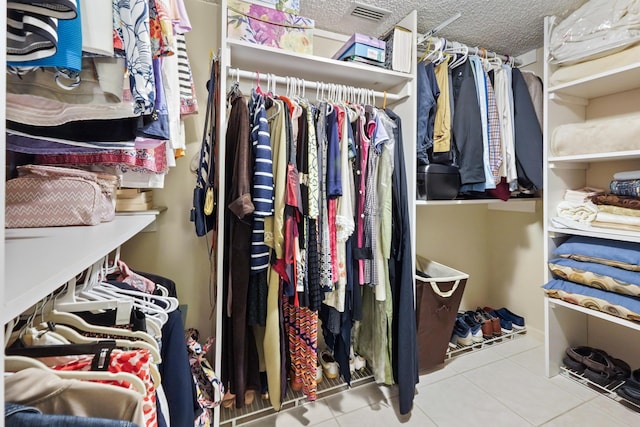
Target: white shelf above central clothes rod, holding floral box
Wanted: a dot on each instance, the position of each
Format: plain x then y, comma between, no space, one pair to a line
266,59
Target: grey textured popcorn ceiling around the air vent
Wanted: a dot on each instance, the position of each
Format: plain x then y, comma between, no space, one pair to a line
509,27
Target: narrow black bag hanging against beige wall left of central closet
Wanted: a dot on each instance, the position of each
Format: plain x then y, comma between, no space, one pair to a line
204,194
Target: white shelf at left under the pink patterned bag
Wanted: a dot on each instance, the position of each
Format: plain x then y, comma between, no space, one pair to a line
40,260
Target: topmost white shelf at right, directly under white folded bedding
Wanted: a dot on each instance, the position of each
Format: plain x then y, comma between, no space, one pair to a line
605,83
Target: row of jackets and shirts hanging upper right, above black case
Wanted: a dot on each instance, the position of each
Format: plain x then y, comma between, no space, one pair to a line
484,118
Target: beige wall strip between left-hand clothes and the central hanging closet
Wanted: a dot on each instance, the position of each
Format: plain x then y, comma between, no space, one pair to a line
174,250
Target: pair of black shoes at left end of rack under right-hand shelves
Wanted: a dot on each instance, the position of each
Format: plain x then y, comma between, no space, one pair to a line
596,365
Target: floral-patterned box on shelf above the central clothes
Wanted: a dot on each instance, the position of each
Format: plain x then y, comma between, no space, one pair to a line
265,26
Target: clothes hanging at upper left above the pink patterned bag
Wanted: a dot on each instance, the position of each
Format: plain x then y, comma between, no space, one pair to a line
132,80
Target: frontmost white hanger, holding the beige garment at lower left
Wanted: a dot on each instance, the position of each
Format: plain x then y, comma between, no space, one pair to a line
19,363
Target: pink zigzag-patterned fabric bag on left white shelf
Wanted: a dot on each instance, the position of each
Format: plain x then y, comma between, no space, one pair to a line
50,196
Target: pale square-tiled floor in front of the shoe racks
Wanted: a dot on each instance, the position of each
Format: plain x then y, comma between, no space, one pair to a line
503,385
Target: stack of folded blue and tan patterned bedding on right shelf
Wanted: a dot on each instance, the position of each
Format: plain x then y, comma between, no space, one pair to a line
600,274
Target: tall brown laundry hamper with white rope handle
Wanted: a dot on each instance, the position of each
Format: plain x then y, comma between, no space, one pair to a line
437,301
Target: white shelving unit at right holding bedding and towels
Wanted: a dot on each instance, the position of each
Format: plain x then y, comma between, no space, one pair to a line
587,98
